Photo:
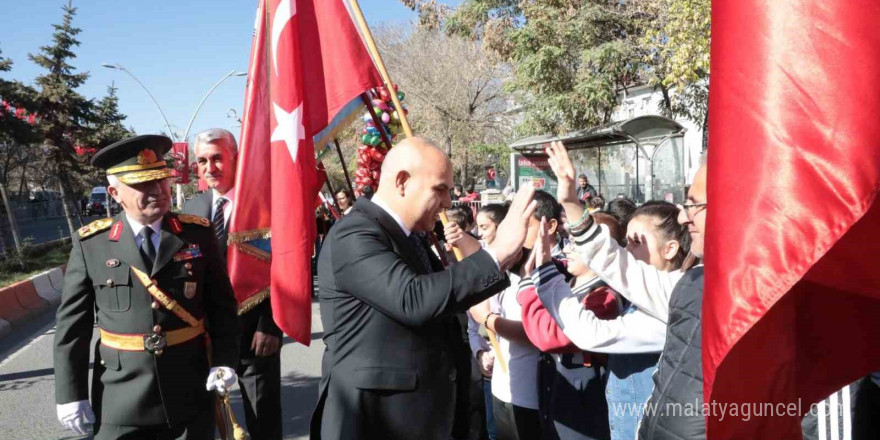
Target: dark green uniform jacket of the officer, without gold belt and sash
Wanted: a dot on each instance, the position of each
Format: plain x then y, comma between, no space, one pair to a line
137,388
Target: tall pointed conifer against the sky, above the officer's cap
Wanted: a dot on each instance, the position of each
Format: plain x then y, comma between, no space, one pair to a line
66,116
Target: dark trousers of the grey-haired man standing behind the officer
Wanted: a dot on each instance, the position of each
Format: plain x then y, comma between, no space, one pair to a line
259,379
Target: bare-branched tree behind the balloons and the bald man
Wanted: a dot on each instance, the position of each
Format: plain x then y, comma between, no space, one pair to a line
454,93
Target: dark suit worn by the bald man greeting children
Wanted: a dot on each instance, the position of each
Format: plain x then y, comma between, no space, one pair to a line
388,371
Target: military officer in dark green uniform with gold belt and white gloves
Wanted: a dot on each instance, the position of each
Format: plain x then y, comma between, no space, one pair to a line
158,289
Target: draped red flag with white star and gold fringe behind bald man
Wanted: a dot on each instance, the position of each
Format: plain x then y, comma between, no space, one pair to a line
307,63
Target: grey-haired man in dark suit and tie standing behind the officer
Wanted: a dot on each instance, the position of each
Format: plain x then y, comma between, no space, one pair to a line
259,371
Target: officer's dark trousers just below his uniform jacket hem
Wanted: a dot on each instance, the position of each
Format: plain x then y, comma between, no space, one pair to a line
200,428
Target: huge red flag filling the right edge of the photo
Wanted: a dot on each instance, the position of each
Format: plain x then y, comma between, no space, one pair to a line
792,294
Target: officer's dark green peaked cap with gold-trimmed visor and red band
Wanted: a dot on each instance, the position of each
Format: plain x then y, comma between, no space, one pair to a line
136,160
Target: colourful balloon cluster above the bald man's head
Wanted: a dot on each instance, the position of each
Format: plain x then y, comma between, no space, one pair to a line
372,151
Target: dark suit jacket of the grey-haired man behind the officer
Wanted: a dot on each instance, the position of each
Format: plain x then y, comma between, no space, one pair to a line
258,318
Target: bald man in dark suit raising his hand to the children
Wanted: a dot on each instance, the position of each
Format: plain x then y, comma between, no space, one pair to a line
388,371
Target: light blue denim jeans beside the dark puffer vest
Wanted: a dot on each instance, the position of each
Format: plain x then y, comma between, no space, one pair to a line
629,386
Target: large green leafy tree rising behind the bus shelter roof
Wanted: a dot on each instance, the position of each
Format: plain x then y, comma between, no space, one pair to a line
569,58
